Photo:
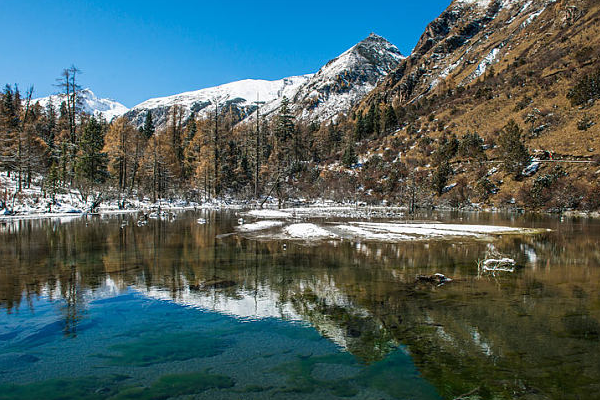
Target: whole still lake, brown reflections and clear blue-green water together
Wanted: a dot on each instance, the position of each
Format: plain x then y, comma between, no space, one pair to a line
102,308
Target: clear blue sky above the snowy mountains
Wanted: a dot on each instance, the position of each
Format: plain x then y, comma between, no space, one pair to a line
134,50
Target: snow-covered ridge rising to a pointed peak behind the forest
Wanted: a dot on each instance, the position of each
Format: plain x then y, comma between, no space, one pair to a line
334,89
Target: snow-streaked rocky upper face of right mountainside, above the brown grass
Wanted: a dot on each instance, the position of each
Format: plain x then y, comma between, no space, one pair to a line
469,37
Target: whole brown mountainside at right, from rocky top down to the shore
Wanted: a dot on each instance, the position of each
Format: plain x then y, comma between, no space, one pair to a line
483,63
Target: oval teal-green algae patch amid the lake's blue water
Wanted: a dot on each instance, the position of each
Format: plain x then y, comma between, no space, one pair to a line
166,348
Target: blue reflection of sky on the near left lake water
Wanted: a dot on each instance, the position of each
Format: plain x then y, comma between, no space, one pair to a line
131,335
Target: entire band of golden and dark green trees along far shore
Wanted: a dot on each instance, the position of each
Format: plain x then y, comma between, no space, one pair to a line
214,156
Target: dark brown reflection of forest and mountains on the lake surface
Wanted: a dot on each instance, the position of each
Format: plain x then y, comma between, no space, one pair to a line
531,334
